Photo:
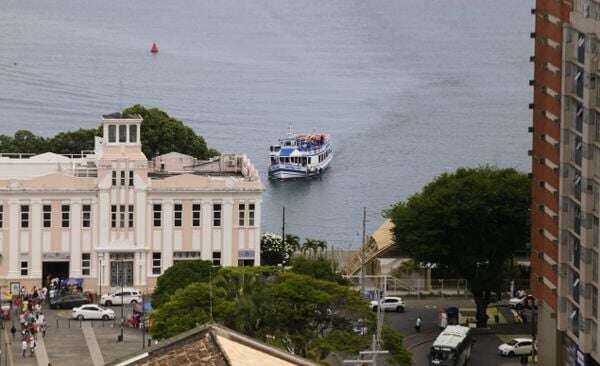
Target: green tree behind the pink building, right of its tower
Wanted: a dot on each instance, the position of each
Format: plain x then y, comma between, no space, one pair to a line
162,134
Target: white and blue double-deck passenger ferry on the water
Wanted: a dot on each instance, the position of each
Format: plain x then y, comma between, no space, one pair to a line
300,155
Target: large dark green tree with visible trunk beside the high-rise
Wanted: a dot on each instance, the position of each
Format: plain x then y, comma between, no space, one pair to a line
471,222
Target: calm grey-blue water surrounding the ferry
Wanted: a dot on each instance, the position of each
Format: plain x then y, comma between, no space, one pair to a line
408,89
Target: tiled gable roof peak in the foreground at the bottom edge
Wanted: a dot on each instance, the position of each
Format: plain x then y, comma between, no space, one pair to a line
212,345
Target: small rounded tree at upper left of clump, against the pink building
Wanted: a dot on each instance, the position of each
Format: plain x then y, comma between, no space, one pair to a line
179,276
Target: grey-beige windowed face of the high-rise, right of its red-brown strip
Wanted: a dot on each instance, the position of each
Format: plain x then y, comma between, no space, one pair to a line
580,188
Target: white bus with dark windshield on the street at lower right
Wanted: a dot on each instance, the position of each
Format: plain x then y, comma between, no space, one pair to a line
452,347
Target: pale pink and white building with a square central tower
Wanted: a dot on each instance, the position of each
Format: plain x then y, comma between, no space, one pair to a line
111,217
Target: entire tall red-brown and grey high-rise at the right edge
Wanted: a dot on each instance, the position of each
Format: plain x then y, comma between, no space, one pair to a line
565,261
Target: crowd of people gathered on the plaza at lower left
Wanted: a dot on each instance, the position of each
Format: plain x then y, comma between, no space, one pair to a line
32,321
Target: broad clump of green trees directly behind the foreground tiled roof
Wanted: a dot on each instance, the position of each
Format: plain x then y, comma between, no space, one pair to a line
297,312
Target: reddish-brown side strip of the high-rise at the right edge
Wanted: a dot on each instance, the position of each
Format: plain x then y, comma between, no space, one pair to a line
549,15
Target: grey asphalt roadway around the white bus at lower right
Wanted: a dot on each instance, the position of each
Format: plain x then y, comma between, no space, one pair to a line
485,347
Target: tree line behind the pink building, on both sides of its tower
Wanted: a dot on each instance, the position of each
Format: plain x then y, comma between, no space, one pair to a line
160,134
